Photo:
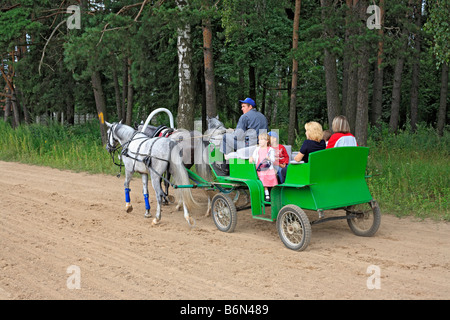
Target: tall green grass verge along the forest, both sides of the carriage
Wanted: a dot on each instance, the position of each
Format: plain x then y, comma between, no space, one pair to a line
410,171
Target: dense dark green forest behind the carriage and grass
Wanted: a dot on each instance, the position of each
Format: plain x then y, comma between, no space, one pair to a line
383,64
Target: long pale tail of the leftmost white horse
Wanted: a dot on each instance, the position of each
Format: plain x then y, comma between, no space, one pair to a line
181,177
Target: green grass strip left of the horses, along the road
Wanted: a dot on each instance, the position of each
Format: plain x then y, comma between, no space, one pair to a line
77,148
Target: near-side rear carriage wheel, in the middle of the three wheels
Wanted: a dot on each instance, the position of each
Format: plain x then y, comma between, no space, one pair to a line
293,227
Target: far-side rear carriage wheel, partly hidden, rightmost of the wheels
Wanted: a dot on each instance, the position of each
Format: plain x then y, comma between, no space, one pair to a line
368,218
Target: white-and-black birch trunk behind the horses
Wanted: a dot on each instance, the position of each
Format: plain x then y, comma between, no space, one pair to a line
185,118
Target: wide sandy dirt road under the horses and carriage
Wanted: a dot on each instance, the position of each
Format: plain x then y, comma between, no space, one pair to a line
58,227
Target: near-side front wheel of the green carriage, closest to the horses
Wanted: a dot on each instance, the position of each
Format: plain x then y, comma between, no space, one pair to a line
224,212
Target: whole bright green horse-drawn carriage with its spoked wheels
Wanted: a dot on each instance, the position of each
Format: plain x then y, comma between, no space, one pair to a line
332,179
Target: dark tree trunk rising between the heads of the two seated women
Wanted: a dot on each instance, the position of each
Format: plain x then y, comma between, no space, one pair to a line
333,104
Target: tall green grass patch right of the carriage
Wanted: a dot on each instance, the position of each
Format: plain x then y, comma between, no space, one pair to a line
411,173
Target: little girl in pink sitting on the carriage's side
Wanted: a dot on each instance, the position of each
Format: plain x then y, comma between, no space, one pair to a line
264,157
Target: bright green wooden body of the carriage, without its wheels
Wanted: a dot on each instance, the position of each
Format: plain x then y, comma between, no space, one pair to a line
333,178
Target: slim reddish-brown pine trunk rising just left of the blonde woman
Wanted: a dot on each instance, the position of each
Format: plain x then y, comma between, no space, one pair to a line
293,95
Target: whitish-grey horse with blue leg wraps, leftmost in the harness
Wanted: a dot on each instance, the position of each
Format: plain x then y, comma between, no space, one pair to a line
150,155
